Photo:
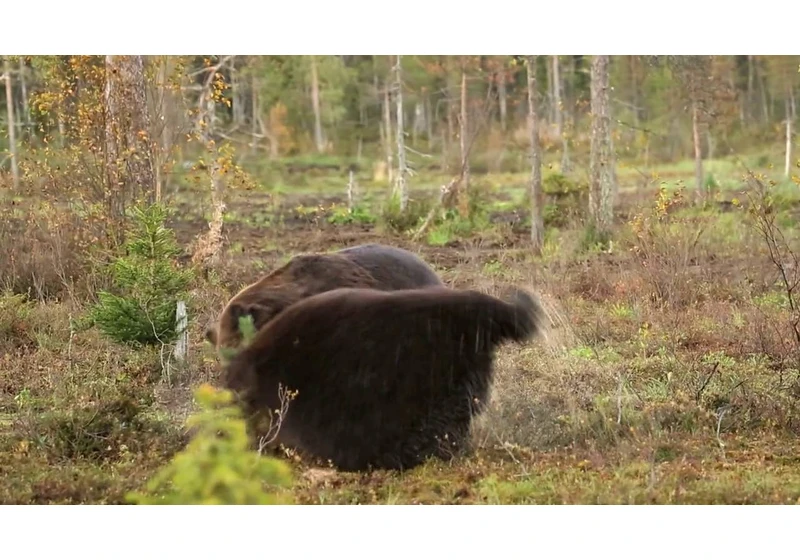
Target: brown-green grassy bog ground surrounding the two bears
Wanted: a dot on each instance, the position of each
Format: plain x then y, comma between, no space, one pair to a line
669,375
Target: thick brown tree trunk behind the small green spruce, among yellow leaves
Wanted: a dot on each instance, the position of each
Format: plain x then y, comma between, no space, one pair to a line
128,156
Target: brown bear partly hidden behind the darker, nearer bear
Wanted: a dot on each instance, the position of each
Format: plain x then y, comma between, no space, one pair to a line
376,266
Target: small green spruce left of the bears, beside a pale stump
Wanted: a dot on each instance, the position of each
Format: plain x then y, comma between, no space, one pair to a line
149,285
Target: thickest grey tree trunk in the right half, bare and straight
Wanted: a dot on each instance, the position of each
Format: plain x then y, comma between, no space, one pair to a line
601,167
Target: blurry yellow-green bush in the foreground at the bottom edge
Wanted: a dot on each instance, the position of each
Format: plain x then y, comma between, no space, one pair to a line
218,467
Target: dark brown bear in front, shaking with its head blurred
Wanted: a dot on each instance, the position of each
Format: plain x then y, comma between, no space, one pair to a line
382,379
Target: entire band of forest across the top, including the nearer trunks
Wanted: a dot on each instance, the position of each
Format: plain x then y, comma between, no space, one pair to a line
94,136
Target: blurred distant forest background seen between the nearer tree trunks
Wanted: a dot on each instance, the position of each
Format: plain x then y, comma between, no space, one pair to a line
277,106
